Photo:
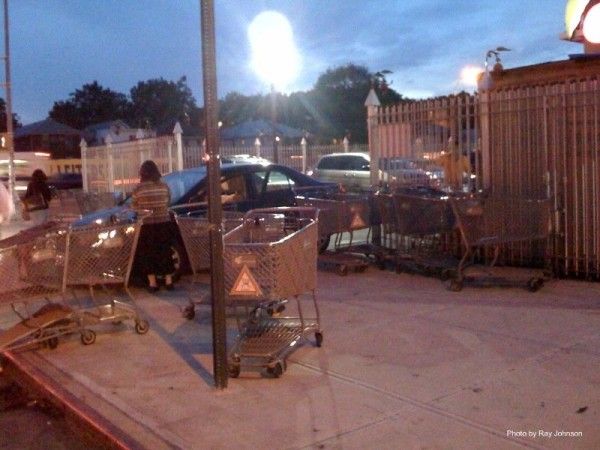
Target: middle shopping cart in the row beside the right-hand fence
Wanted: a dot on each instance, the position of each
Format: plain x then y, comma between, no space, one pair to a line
415,228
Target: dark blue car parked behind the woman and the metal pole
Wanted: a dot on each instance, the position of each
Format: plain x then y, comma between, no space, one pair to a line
244,187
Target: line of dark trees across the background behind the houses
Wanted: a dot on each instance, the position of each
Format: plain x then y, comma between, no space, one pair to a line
332,109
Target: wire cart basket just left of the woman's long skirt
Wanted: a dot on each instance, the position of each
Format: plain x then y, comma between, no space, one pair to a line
101,255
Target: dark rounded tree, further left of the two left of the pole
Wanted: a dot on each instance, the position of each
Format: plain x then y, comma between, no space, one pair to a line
90,105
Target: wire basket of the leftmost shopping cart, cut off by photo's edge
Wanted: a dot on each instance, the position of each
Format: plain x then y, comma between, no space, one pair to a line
33,268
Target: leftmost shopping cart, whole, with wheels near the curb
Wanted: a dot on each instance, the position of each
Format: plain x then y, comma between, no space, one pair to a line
33,271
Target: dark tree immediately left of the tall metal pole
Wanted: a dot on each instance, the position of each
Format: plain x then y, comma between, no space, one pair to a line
157,101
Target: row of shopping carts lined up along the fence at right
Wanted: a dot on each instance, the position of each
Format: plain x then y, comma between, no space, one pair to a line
428,231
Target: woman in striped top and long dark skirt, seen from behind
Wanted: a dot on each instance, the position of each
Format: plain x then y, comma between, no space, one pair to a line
153,255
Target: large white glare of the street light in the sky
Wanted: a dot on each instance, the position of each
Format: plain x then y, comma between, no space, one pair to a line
275,58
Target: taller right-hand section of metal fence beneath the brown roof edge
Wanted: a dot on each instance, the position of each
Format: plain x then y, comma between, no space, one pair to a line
545,141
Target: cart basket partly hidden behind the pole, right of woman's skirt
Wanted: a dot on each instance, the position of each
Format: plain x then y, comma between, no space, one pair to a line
195,233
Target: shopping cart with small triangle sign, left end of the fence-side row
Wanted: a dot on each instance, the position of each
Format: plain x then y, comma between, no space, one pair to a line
340,216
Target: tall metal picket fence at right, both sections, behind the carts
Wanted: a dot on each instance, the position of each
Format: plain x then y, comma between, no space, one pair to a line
539,141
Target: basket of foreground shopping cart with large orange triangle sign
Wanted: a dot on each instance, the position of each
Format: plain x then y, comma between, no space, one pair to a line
272,255
